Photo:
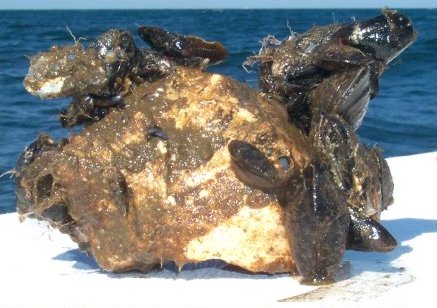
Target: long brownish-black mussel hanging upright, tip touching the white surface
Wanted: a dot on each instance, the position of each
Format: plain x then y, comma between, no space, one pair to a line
317,224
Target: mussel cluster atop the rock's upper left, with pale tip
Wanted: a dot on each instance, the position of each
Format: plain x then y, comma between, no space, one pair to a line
110,66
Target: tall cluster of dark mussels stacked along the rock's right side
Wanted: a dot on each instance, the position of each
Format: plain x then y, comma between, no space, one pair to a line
326,77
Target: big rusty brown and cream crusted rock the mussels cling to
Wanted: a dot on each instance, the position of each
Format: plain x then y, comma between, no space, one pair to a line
134,200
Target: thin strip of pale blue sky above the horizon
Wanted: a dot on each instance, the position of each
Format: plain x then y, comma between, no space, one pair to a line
202,4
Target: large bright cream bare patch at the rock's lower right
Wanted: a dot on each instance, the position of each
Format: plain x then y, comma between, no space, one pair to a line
254,239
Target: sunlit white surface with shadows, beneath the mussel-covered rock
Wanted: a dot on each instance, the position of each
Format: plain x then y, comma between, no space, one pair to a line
41,267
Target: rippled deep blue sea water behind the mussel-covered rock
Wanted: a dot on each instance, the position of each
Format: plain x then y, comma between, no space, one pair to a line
402,119
